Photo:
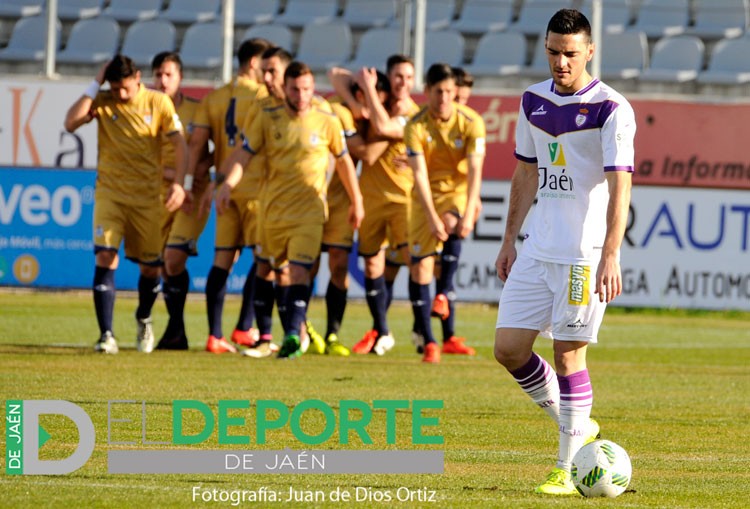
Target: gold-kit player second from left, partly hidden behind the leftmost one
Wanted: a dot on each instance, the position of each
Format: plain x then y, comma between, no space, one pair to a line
180,228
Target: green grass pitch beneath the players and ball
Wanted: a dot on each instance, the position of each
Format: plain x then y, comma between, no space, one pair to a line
670,387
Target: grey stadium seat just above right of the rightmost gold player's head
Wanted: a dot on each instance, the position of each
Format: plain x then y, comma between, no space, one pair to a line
499,54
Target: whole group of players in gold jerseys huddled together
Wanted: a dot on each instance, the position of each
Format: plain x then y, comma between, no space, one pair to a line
275,143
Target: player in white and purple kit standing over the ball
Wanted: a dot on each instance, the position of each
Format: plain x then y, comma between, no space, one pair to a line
574,145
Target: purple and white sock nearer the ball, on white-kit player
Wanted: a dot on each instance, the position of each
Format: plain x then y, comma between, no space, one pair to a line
576,399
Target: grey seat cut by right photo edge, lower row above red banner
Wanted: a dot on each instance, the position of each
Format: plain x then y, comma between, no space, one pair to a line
729,63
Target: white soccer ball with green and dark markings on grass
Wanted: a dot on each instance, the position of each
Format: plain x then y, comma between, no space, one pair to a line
601,469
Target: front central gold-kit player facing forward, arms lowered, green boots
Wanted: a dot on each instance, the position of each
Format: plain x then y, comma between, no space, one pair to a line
298,139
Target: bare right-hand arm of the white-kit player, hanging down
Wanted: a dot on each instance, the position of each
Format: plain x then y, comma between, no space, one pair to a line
608,274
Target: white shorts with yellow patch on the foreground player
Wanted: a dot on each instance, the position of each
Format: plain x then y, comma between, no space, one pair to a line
557,300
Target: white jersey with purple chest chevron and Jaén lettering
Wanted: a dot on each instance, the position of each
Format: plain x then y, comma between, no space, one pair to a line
574,139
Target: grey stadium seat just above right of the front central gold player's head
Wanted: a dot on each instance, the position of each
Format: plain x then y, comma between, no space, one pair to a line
324,45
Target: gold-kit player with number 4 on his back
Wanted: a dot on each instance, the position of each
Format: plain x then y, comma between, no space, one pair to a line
220,118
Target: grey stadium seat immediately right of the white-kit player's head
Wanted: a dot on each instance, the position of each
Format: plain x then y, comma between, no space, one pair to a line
624,55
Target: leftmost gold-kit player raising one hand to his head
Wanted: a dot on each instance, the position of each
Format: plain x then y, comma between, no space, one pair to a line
127,203
